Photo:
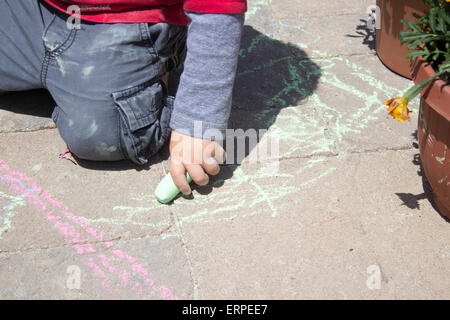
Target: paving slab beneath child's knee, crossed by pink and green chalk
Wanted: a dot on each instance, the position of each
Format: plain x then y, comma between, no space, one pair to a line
115,196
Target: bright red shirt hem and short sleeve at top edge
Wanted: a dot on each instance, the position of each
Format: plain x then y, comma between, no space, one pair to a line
127,11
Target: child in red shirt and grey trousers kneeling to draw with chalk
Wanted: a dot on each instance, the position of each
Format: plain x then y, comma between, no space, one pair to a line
106,67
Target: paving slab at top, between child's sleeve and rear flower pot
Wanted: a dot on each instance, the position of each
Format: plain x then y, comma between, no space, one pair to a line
319,28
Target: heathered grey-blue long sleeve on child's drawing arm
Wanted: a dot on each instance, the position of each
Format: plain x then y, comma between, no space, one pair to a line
206,84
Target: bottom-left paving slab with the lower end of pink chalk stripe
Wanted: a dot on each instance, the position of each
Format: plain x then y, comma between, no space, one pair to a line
146,268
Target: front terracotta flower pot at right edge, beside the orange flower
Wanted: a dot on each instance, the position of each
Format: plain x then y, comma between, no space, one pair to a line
434,133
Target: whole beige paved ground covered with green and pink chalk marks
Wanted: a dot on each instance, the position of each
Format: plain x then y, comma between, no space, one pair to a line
347,215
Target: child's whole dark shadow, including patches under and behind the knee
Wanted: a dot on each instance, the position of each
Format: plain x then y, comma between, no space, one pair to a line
271,75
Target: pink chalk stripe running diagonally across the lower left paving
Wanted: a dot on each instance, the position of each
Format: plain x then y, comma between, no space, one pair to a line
66,223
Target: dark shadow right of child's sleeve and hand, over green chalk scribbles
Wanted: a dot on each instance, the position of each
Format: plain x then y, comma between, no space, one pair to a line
271,75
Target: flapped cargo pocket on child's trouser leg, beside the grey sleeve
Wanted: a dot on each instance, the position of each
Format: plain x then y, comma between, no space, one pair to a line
144,120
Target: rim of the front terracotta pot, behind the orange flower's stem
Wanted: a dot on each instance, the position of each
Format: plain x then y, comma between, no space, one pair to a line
433,93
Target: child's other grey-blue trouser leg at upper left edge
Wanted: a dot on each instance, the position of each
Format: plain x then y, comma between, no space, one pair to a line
22,23
